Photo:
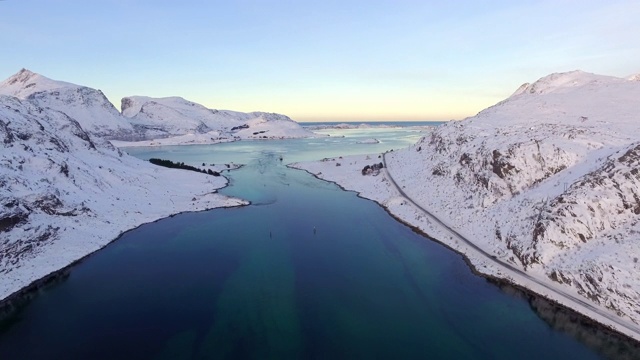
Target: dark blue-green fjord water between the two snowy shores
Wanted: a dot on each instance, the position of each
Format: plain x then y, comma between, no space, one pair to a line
306,271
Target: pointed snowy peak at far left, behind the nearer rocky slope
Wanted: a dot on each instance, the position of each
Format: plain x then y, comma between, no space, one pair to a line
86,105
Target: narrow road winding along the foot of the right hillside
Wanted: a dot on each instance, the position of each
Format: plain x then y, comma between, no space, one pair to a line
633,331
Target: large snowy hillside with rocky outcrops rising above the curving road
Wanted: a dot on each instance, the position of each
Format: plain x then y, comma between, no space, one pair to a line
547,180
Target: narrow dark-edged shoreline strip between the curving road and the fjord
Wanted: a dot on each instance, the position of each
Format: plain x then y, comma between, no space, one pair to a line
593,319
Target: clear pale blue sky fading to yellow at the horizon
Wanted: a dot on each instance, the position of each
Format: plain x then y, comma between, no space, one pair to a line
319,60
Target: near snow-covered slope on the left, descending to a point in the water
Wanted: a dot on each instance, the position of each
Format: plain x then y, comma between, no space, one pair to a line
65,193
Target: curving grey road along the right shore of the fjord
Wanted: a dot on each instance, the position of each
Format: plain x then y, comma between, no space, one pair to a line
557,294
